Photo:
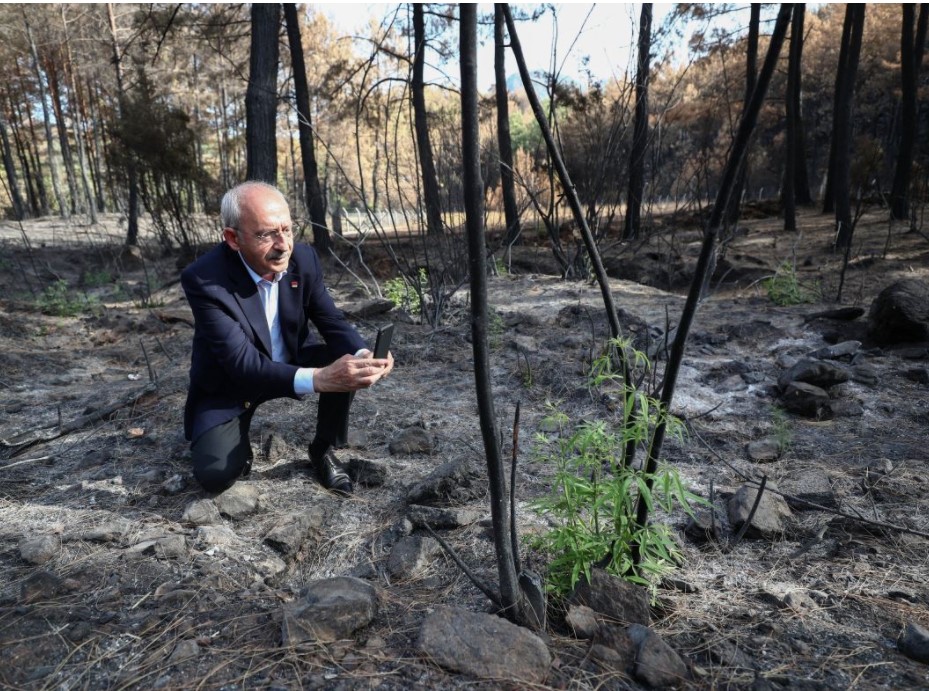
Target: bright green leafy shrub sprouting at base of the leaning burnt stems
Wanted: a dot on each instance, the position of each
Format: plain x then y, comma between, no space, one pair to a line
592,503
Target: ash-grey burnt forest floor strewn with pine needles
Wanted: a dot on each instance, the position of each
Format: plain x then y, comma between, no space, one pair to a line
110,608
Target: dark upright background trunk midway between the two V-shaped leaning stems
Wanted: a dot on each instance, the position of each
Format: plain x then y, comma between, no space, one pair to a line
640,127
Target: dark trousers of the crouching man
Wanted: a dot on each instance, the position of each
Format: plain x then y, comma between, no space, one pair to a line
223,454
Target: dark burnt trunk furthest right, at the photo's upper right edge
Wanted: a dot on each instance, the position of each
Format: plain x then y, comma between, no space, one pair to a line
911,57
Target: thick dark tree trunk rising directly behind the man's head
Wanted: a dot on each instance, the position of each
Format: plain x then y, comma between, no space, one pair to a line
261,95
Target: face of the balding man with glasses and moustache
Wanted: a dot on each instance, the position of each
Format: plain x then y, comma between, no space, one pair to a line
264,236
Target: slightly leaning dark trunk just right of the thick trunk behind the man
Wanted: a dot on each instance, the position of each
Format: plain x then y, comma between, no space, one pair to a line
314,193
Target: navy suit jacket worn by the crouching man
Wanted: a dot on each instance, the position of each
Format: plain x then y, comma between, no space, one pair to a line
231,368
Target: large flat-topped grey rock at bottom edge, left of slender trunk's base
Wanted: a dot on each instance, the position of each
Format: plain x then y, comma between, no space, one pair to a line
484,646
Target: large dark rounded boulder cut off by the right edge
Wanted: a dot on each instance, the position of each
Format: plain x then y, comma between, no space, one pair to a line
900,313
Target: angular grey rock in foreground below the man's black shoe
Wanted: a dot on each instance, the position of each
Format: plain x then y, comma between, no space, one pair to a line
329,610
